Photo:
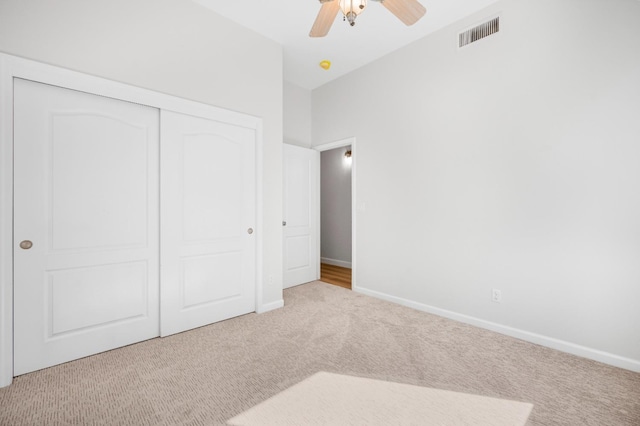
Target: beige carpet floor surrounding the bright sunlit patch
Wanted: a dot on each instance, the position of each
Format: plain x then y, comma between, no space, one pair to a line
209,375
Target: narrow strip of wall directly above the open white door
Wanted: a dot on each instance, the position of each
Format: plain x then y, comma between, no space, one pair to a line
297,115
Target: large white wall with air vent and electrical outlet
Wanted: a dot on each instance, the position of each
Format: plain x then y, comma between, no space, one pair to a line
511,164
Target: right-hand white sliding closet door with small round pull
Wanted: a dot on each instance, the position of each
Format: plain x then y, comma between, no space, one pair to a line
208,192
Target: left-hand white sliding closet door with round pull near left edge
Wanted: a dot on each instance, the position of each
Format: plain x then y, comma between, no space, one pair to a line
86,198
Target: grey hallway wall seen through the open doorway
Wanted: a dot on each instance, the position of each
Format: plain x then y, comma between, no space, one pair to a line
335,207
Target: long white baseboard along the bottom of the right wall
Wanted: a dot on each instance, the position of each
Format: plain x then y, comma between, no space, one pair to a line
550,342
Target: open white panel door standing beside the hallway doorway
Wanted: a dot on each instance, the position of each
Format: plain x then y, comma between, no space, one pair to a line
300,229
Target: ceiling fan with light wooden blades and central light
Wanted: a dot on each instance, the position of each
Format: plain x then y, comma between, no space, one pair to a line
408,11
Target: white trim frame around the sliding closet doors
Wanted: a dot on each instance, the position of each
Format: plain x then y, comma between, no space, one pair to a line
14,67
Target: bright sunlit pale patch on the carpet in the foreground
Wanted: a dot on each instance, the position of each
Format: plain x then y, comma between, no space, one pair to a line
334,399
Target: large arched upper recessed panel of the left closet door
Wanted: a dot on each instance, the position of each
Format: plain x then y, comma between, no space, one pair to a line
89,211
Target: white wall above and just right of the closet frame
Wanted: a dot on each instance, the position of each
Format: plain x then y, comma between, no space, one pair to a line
171,46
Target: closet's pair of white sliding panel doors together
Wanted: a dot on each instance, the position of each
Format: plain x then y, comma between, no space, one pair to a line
130,222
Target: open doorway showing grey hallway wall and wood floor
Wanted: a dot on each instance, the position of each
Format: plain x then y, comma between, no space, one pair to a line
336,213
